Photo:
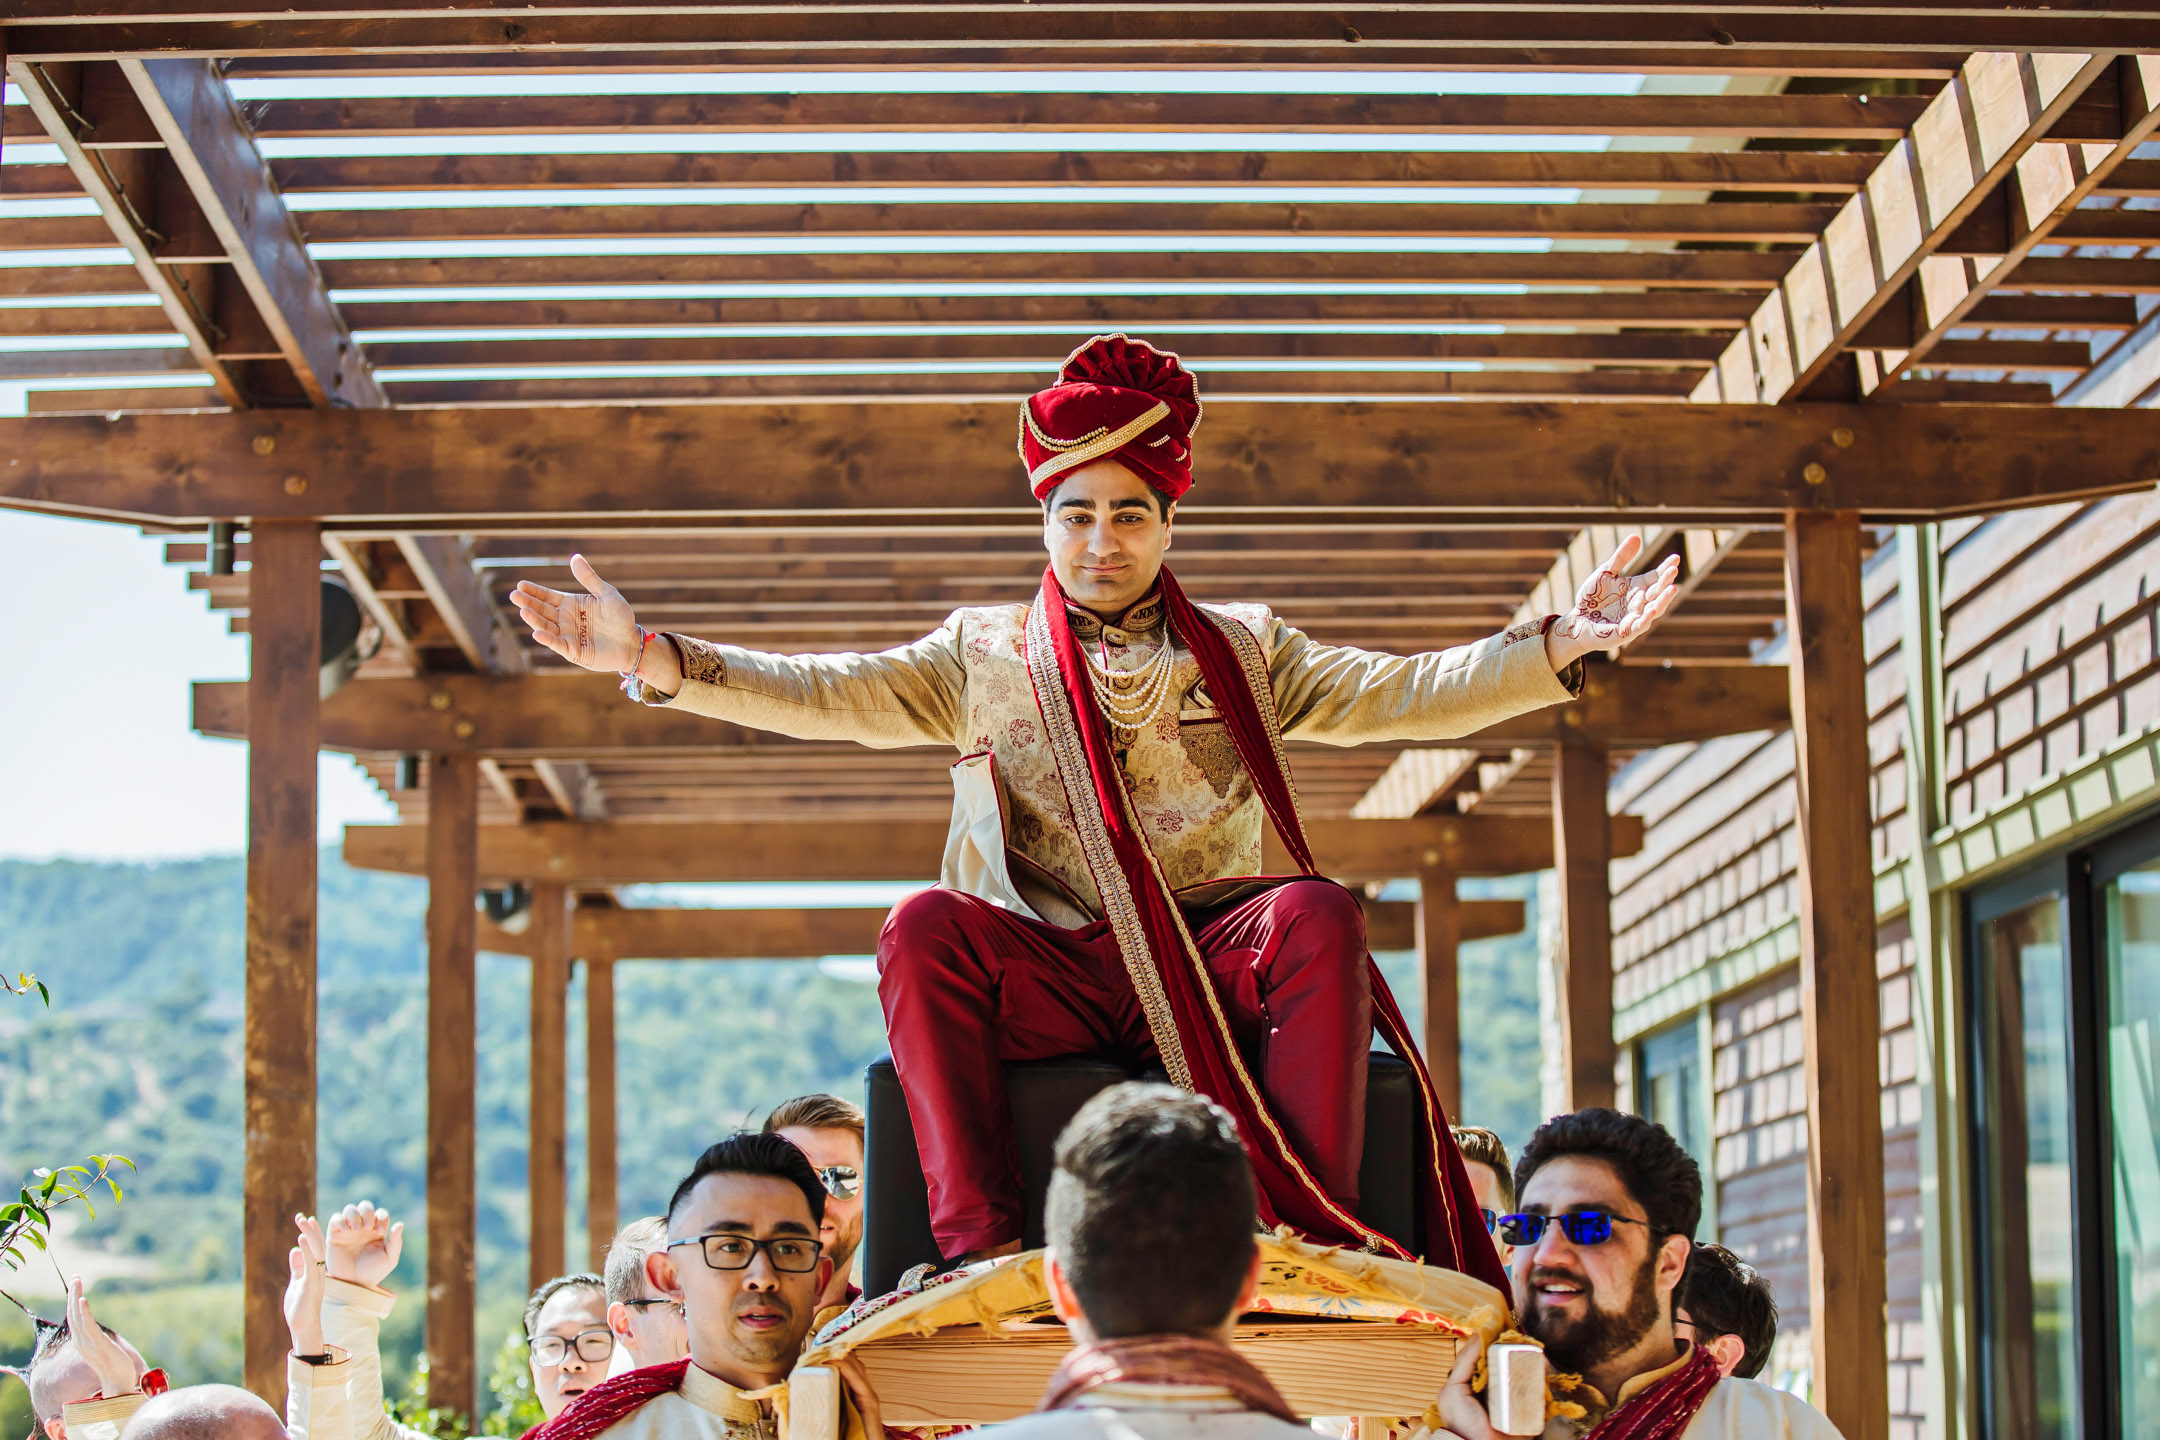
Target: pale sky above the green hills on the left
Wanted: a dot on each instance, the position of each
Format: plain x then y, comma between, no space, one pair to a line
94,731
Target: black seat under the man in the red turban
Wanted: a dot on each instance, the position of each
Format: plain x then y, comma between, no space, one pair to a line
1044,1098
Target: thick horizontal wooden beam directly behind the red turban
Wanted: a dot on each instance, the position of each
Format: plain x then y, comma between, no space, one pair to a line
457,470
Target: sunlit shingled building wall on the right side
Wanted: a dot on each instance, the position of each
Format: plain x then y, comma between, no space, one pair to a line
2049,655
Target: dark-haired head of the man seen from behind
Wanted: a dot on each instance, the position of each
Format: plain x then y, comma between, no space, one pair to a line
1152,1212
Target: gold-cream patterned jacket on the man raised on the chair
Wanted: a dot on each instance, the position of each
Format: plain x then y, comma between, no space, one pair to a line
969,688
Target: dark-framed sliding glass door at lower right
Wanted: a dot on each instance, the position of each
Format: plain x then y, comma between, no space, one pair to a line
2064,983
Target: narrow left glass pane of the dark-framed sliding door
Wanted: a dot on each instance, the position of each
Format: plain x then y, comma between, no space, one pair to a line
2025,1141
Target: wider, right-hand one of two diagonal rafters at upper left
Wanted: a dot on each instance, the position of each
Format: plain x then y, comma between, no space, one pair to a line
211,146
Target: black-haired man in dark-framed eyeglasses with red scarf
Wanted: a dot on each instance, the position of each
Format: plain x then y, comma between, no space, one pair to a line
746,1262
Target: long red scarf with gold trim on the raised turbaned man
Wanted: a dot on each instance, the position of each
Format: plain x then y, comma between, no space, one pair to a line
1174,983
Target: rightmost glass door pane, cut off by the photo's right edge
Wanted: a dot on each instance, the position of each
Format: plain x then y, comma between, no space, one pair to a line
2131,916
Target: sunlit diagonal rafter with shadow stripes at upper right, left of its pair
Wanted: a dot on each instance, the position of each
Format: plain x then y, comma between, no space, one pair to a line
1965,144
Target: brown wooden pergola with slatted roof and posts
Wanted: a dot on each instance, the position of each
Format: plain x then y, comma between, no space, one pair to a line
1831,273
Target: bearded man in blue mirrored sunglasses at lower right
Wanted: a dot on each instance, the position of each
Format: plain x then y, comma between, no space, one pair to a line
1608,1212
